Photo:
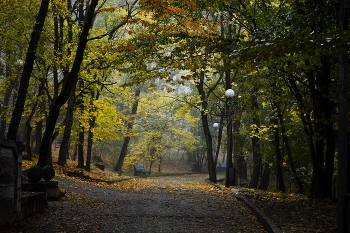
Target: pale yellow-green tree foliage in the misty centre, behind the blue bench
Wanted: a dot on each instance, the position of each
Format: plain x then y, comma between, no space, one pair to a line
163,123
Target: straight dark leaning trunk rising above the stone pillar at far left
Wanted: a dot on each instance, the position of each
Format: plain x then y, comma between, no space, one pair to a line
27,70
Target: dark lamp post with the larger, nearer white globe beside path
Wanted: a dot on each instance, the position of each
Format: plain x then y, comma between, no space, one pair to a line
230,171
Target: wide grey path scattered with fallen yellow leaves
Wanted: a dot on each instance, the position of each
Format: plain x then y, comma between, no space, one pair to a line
175,205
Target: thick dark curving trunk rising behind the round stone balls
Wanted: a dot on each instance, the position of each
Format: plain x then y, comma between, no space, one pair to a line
67,88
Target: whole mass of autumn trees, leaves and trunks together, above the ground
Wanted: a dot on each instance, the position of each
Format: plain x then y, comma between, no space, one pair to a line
75,74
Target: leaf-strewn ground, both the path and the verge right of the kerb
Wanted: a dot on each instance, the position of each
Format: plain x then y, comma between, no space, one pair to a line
104,202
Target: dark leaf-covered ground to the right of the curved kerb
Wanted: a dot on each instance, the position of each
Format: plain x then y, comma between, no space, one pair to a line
293,213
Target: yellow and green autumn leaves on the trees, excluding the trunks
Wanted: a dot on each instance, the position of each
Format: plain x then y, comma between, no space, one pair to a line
276,50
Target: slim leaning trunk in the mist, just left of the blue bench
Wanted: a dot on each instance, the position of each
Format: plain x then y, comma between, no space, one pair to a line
130,124
